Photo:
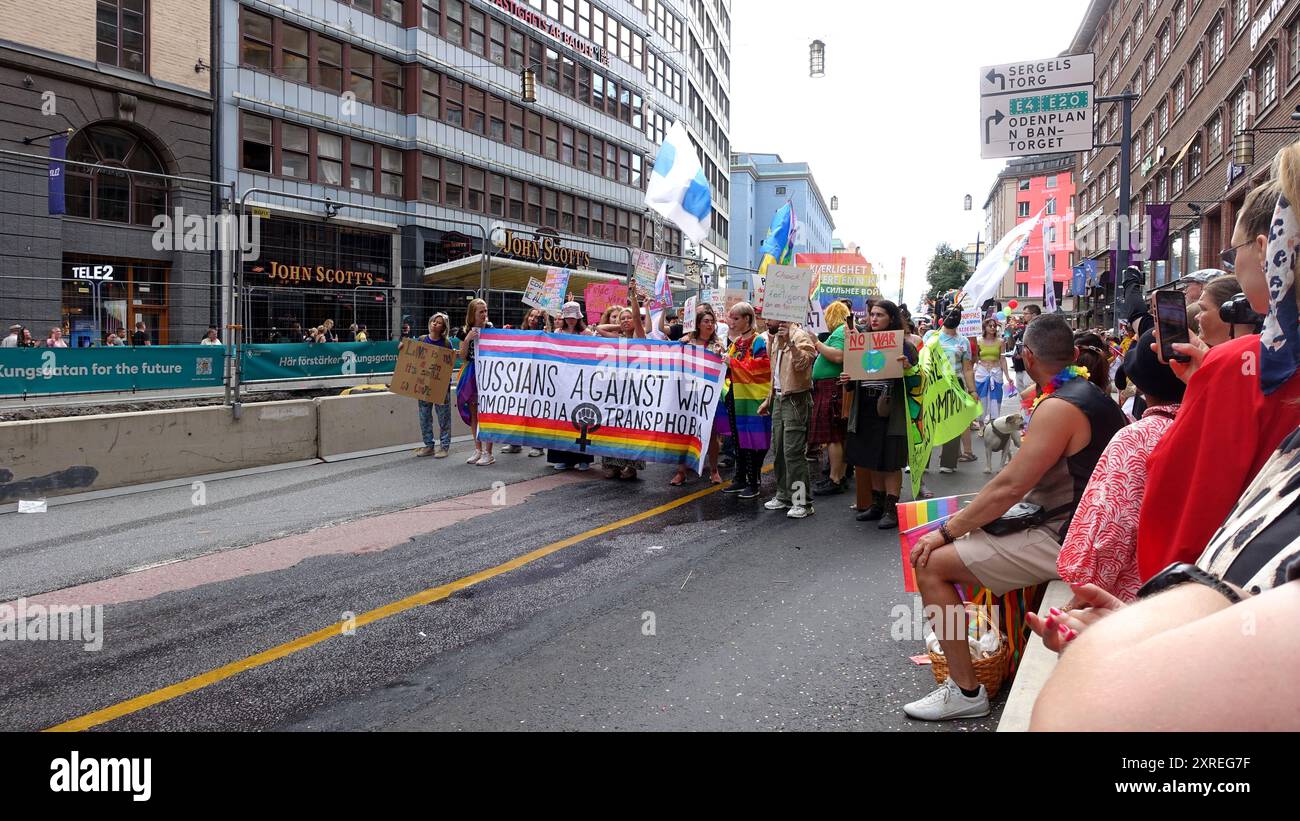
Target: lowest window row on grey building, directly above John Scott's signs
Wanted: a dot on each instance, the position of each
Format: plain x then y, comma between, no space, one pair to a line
300,153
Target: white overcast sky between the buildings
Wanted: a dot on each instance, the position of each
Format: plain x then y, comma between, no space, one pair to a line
894,127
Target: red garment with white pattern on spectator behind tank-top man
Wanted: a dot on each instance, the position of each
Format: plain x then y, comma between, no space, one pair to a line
1102,548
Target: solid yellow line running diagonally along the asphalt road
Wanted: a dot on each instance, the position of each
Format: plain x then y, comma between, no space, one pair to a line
311,640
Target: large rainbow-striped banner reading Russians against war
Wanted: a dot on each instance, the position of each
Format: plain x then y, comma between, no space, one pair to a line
625,398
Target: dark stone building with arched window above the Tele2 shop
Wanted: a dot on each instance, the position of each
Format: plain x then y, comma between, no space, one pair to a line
128,81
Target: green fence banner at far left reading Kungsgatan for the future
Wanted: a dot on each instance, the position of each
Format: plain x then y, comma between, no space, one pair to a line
81,371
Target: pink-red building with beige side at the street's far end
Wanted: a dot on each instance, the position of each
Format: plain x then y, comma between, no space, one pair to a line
1024,189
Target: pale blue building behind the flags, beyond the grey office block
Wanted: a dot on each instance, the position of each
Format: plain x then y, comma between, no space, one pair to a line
761,185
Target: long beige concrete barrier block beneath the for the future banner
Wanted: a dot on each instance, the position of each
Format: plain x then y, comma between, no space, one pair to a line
53,458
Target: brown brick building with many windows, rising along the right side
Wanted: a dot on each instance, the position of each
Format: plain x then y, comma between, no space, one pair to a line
1206,71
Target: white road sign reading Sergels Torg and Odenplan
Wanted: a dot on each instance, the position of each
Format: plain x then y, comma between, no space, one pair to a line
1037,107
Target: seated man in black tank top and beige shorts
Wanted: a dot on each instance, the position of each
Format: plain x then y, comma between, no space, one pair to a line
1068,433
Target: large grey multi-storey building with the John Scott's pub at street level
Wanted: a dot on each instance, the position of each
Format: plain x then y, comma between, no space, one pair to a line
410,118
